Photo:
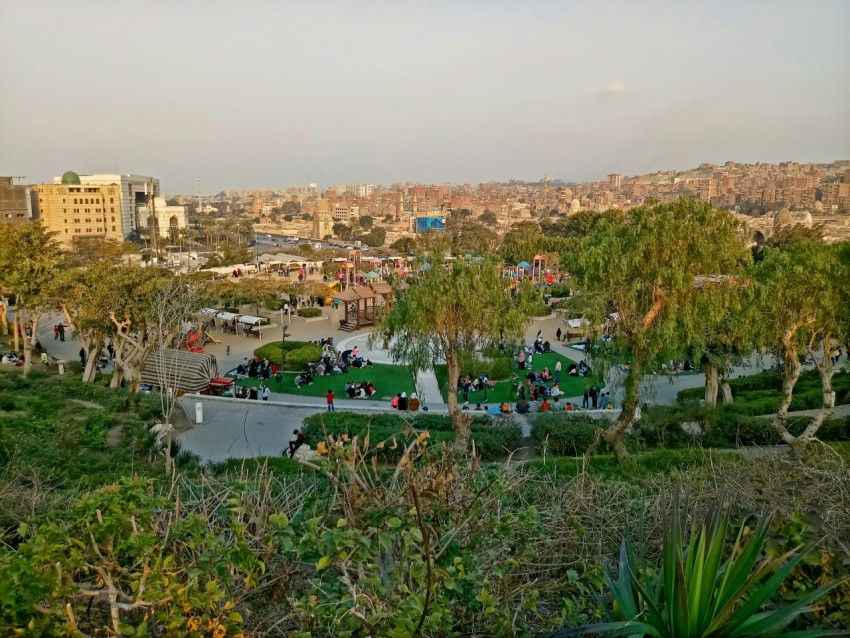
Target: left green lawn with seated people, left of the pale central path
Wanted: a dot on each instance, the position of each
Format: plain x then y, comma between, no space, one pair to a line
389,380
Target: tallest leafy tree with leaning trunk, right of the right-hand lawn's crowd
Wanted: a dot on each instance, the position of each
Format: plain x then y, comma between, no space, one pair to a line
644,268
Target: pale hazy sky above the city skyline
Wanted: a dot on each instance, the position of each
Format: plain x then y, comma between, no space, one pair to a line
250,94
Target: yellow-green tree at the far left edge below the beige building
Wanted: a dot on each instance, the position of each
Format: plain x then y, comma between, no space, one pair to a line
30,259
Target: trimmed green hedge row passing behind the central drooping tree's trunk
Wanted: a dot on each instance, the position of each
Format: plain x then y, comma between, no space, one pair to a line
494,436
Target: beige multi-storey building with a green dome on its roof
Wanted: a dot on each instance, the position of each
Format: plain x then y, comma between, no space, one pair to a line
77,212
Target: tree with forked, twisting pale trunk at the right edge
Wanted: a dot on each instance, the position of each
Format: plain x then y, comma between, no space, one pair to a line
802,307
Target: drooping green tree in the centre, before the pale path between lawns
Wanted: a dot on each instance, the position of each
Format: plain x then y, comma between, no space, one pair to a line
452,313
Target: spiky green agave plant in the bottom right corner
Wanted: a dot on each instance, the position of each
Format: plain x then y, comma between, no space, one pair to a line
696,594
